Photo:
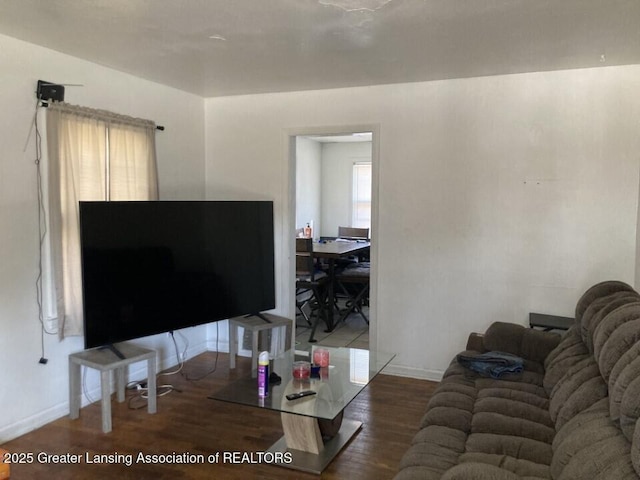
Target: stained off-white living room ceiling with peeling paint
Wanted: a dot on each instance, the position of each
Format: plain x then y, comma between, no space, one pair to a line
229,47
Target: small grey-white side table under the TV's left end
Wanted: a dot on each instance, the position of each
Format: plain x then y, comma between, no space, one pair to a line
105,361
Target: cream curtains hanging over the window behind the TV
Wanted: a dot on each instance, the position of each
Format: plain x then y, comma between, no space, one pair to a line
93,155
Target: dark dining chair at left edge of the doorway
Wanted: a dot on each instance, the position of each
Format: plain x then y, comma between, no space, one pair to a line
311,285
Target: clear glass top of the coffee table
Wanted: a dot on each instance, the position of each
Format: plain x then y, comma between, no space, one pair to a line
350,370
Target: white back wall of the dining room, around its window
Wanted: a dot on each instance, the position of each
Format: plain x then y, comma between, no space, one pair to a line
337,182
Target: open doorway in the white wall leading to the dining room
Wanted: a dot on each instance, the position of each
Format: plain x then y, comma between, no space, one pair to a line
333,184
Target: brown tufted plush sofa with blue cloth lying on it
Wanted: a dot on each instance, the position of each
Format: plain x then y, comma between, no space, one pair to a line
570,415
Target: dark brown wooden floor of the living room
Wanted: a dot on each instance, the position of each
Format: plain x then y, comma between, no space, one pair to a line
187,422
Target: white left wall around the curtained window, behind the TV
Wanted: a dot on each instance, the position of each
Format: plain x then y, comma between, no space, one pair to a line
33,394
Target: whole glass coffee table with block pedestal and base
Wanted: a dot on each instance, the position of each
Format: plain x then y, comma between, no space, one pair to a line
314,428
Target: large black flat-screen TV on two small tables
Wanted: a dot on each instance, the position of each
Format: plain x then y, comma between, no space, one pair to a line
157,266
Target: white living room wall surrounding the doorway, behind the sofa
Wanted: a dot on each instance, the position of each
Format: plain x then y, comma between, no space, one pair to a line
497,196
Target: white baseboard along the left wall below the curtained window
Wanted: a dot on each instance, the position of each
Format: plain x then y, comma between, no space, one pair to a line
137,372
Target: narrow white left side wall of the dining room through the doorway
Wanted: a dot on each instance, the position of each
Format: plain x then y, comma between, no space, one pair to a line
308,182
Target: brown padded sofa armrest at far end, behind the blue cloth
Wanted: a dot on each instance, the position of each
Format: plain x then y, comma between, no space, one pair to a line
524,342
